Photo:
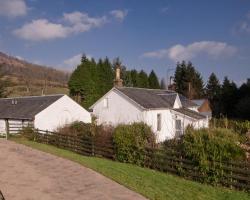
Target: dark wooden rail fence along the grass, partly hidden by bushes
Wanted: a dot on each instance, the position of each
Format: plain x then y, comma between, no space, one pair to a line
231,174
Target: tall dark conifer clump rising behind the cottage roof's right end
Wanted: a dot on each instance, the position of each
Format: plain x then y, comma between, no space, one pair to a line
188,81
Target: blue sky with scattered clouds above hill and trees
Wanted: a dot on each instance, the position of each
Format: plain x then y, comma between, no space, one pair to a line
145,34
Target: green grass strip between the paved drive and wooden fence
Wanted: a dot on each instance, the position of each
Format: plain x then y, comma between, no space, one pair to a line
151,184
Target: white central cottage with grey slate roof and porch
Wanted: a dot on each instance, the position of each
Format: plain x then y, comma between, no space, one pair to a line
167,112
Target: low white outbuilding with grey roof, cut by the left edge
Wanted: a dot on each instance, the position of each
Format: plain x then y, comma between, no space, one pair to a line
43,112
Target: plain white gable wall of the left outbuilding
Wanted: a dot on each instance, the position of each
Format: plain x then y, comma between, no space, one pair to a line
62,112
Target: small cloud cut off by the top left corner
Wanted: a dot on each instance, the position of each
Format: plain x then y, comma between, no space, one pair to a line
13,8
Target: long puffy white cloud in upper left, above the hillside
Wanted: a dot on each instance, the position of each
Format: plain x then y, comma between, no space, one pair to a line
73,23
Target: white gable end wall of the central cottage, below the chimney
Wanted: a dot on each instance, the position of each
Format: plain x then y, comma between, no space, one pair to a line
119,110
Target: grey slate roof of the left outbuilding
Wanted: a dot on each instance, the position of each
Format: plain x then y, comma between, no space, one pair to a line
25,107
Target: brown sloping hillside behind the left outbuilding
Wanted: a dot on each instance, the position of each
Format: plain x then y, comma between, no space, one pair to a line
24,78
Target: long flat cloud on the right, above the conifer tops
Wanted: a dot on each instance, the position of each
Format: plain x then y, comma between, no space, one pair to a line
180,52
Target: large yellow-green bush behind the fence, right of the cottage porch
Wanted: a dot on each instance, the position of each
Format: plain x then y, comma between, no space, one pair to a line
212,145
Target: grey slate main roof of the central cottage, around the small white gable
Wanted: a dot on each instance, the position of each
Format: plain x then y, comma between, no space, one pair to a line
154,98
